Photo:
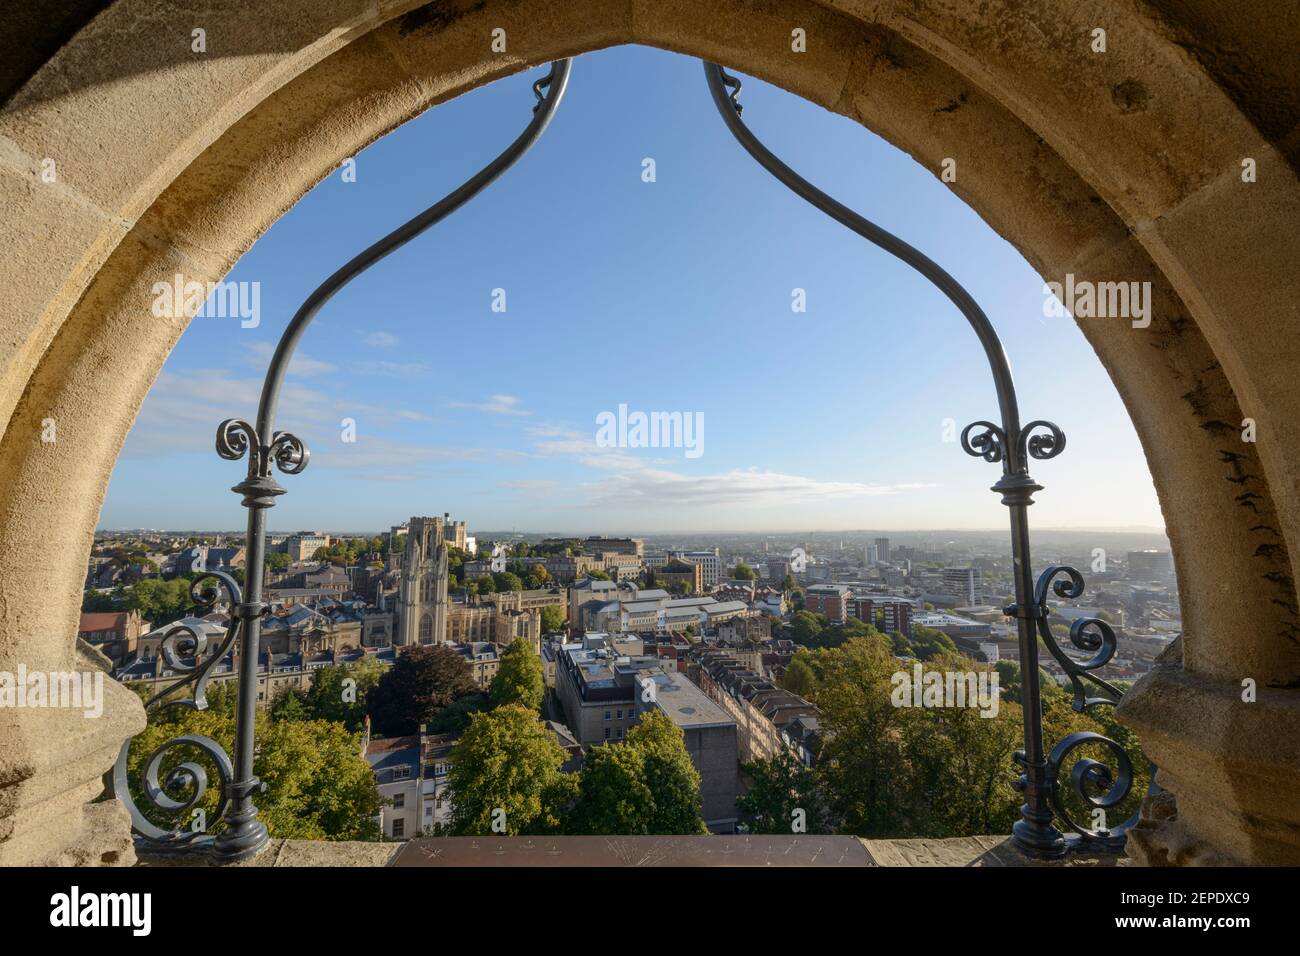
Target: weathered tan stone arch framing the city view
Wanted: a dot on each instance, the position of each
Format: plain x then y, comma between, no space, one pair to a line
1117,166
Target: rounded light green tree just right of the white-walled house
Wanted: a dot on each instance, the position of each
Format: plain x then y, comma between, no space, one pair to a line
505,776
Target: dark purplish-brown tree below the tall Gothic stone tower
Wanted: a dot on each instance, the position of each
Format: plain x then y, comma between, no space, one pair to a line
423,681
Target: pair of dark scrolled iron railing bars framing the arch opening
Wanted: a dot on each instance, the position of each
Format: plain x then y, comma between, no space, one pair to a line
1008,443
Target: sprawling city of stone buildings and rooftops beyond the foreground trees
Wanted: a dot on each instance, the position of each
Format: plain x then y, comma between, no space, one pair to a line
712,622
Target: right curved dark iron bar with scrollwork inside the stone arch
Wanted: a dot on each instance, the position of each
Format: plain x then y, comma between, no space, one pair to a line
1013,447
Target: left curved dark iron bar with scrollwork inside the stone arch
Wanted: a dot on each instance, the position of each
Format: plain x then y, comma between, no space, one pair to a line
184,785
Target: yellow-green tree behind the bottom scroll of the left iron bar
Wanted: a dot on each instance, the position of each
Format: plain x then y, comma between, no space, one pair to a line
318,786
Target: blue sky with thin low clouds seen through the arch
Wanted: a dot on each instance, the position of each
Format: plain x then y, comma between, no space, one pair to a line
668,296
